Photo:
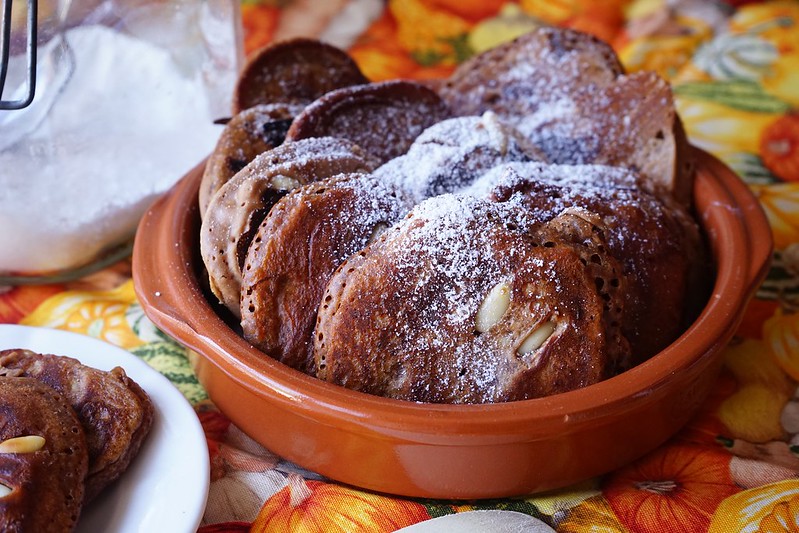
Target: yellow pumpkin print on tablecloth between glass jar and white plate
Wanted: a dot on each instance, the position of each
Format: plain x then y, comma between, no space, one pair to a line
101,314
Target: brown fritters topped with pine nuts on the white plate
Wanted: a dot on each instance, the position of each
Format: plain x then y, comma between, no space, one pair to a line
67,431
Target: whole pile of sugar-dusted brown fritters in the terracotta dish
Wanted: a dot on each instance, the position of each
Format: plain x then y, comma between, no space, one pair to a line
520,229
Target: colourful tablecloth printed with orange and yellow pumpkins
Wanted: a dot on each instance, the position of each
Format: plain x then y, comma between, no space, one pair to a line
734,67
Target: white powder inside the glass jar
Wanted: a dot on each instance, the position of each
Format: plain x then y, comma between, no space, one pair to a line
125,127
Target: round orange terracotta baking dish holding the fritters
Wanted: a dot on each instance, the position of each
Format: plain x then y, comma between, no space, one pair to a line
449,451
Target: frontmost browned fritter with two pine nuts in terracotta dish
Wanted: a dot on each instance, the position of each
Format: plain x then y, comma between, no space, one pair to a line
398,320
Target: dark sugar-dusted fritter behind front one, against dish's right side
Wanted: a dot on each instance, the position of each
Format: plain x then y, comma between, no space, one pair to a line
656,241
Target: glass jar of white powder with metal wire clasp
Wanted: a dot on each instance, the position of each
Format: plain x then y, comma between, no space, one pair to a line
129,96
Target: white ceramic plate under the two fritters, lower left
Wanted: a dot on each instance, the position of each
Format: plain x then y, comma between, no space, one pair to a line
166,486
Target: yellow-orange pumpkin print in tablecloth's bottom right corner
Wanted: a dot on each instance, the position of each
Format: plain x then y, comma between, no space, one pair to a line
771,508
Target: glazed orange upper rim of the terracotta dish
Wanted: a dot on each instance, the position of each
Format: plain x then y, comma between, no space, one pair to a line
727,208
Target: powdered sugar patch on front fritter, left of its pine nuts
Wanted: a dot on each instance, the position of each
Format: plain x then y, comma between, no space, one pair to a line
446,260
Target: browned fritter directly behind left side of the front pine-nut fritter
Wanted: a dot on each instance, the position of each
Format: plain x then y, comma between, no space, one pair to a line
305,237
